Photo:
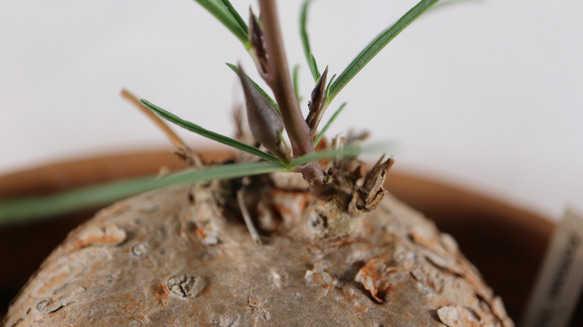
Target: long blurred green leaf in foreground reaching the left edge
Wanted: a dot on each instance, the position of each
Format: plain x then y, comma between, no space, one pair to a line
35,208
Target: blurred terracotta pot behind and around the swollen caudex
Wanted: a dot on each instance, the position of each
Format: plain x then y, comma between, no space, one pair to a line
504,242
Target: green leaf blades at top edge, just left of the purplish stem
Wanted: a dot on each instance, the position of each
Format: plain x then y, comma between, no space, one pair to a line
226,14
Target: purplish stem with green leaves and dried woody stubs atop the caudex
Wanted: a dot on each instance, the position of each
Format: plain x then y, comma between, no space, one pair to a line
269,120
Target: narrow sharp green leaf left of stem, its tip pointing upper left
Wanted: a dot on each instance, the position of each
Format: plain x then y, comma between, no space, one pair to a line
208,134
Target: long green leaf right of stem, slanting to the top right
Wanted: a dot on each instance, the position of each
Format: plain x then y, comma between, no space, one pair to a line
373,48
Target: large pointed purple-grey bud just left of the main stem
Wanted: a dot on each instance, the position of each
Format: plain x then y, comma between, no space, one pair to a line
264,122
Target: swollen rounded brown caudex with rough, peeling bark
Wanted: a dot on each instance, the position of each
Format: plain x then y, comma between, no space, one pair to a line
161,259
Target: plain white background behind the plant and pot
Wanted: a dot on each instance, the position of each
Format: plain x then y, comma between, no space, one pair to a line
483,94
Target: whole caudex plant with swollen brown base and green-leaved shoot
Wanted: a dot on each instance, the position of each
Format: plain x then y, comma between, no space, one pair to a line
246,244
